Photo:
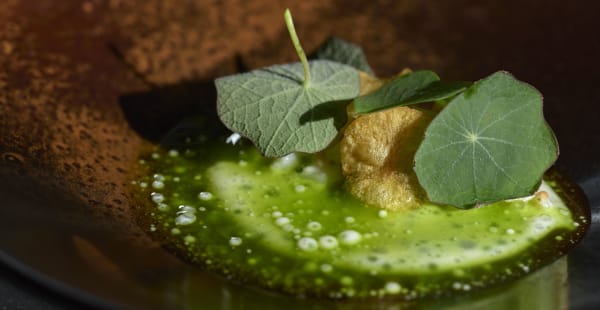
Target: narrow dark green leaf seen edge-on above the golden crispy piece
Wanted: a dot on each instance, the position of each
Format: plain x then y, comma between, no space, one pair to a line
396,92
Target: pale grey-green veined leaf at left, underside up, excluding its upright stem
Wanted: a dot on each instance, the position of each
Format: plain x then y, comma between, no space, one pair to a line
280,115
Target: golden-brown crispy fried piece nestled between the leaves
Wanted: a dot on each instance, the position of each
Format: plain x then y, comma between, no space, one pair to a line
377,152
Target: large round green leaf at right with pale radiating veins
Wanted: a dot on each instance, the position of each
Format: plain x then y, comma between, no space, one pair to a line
490,143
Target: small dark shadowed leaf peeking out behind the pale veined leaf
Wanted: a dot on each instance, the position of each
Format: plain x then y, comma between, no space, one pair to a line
344,52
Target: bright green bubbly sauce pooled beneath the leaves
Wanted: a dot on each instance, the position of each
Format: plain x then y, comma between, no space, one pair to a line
287,224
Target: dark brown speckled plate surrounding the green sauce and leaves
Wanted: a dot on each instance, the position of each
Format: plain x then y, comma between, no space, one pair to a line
87,87
